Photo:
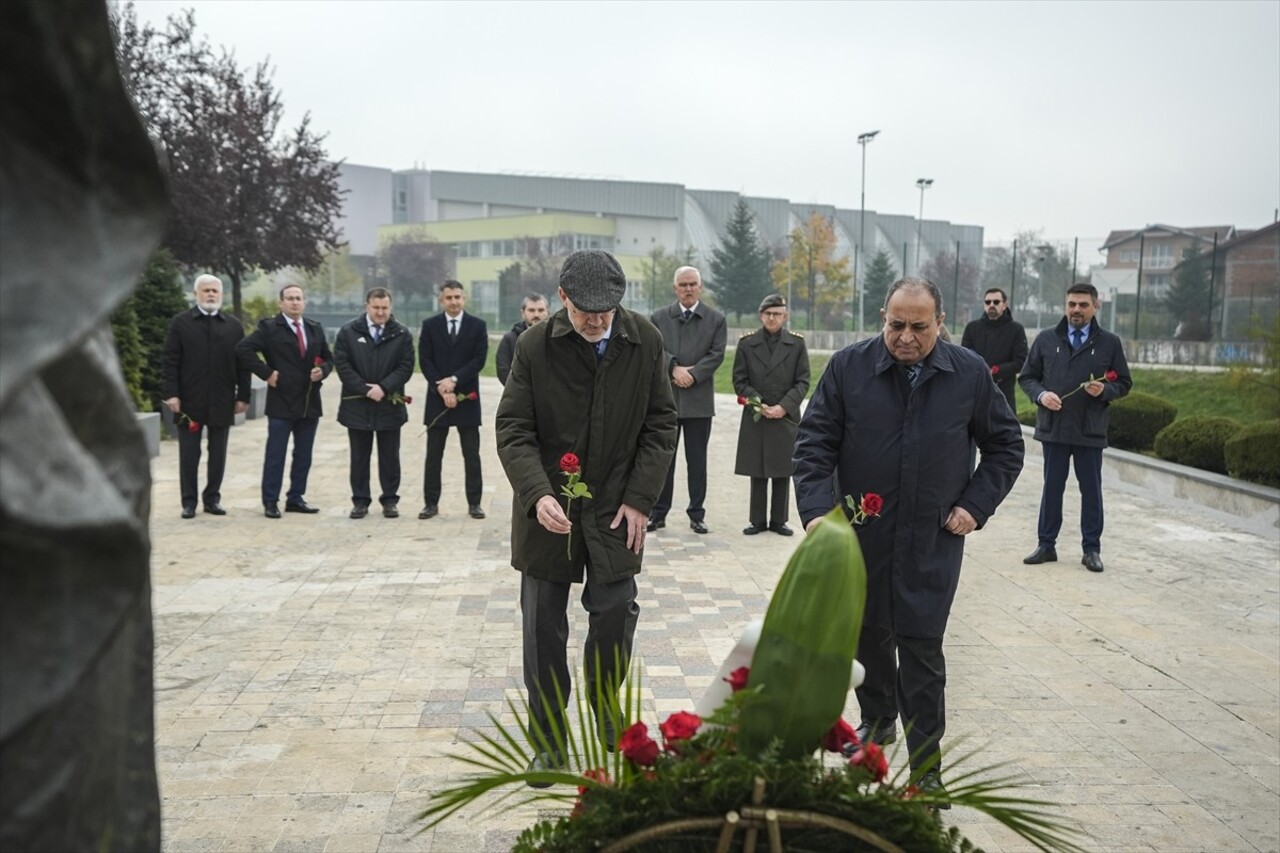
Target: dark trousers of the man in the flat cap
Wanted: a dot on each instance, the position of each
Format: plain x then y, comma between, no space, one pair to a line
612,615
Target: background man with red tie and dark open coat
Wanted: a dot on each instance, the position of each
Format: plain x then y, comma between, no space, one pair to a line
291,354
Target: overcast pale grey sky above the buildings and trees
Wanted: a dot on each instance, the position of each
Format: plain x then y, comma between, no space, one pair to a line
1071,117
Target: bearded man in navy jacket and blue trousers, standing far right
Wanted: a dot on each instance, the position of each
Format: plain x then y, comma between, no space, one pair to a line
1073,373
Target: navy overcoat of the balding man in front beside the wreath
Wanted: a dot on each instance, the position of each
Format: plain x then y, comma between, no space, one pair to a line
912,448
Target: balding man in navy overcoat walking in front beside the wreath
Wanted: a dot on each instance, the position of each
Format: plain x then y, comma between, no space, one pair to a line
895,417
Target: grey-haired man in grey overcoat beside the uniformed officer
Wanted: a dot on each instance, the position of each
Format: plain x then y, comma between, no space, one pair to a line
693,335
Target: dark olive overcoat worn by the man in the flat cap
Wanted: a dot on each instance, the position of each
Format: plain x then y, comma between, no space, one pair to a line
618,416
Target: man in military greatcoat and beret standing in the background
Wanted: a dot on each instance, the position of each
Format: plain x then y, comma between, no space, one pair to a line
771,375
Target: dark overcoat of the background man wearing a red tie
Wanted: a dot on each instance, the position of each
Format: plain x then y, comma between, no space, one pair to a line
295,395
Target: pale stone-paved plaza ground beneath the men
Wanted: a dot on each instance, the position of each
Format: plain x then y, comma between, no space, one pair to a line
316,674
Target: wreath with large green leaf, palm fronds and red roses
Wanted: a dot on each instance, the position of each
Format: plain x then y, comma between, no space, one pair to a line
723,781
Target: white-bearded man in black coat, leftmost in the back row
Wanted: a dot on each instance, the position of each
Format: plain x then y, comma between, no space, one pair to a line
205,387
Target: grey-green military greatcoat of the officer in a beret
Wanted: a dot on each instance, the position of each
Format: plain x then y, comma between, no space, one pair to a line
779,378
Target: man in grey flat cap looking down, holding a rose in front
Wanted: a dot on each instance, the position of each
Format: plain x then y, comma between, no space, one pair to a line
589,394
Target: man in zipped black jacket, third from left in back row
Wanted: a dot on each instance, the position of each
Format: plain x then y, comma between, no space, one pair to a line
374,358
